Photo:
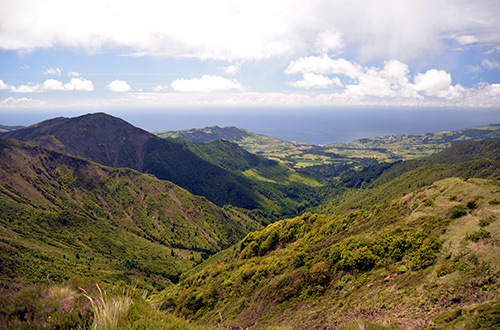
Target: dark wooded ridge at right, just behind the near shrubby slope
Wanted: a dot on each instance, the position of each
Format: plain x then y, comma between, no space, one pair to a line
385,182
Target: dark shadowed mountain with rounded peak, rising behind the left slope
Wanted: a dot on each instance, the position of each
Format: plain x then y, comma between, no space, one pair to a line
113,142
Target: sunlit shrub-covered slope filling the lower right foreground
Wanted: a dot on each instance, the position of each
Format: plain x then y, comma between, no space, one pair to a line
427,259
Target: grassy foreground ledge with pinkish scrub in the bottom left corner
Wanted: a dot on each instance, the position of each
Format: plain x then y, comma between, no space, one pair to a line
82,304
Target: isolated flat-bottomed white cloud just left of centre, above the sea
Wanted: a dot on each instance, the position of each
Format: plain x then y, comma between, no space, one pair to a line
207,83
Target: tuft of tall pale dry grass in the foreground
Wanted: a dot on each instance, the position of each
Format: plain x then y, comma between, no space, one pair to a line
108,312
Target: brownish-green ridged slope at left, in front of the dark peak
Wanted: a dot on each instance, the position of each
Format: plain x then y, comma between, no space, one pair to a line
62,216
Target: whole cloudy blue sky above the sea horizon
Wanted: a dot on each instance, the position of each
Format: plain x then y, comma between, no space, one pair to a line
100,54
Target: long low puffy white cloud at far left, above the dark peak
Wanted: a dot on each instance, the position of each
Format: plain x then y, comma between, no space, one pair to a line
76,84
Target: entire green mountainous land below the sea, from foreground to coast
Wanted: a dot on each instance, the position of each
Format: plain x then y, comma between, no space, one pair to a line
223,228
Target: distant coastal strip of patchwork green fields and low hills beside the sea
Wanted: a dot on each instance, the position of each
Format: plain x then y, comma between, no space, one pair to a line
361,152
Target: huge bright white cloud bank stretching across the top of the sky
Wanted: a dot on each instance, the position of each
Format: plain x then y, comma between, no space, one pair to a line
278,28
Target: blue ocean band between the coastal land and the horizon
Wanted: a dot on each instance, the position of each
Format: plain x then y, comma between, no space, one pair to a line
311,125
